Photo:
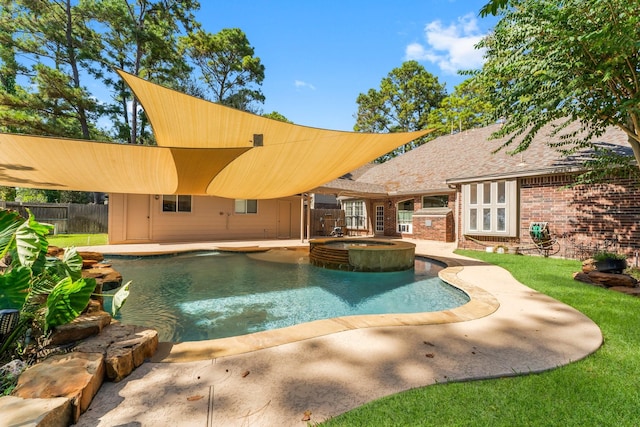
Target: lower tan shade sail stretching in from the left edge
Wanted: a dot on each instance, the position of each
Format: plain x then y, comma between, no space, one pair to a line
65,164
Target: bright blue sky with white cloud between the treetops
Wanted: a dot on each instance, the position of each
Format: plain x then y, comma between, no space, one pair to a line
319,55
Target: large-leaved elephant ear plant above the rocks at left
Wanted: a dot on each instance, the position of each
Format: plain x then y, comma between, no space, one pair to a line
47,291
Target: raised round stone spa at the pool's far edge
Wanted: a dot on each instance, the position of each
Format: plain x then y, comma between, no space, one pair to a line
362,254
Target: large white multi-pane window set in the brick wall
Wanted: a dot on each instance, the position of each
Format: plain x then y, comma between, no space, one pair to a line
490,208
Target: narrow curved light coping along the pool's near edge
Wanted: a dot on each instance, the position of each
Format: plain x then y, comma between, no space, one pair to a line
481,303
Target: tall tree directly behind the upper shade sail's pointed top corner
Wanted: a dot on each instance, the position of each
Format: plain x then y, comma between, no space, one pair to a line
141,38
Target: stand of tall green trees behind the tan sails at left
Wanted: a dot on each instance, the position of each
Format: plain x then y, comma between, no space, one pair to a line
58,61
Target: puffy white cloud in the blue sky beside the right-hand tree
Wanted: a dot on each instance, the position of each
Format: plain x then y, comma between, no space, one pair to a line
451,48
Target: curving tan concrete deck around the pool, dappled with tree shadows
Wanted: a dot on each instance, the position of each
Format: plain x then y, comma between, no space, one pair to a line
326,368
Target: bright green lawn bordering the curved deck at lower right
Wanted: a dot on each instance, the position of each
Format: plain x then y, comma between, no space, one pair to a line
601,390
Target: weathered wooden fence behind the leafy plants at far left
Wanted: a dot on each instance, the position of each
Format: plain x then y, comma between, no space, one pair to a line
66,218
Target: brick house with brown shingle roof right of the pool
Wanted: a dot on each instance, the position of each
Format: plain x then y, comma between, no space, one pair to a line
456,188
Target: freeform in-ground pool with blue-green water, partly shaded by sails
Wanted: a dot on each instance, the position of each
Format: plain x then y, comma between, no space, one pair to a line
201,296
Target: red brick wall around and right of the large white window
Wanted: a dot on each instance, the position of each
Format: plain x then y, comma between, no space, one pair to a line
582,218
